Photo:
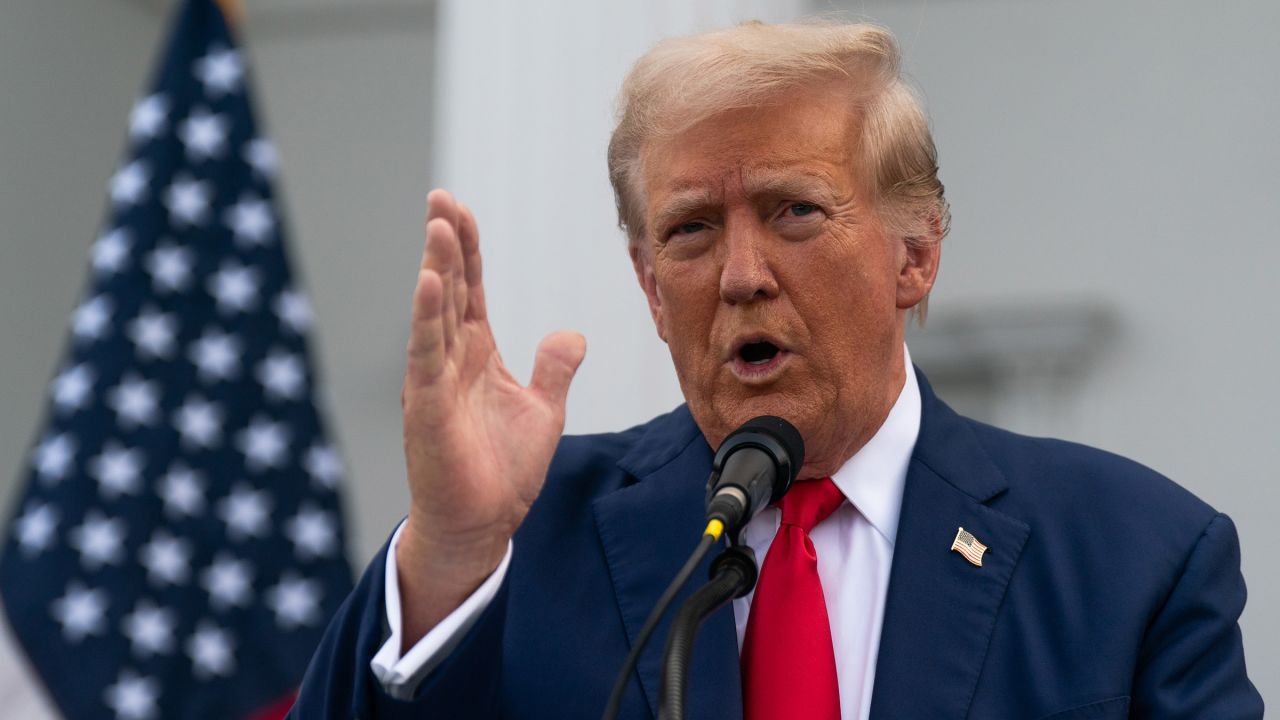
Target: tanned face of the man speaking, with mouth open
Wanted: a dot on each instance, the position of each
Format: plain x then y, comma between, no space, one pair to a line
770,277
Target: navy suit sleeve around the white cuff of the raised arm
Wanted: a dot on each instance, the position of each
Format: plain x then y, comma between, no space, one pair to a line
341,682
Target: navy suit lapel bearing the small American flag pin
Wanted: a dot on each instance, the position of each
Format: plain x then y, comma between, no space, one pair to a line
941,610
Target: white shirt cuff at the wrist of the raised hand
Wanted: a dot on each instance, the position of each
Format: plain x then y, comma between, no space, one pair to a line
401,676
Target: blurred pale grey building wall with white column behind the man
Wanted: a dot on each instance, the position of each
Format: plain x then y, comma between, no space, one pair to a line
1113,171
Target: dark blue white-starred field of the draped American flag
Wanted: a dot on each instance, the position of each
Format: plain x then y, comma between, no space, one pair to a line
180,546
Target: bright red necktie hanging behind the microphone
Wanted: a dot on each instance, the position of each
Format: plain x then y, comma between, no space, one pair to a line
789,667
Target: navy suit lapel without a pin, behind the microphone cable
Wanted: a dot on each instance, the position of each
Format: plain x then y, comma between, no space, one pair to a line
648,530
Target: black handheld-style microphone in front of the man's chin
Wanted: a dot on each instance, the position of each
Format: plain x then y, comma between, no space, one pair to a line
755,467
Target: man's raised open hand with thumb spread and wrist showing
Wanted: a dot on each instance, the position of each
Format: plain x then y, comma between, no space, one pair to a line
477,443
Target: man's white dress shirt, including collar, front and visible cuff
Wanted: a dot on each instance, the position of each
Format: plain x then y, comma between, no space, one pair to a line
854,546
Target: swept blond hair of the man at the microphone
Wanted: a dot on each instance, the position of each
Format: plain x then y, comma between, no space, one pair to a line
687,80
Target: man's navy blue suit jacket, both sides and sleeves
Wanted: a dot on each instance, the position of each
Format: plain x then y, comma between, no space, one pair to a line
1107,593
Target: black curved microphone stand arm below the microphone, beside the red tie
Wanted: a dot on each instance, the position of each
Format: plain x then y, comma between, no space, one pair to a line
734,575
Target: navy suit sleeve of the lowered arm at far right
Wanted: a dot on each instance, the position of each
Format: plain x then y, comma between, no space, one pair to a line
1192,663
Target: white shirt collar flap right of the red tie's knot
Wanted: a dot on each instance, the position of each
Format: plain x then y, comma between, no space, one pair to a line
875,477
